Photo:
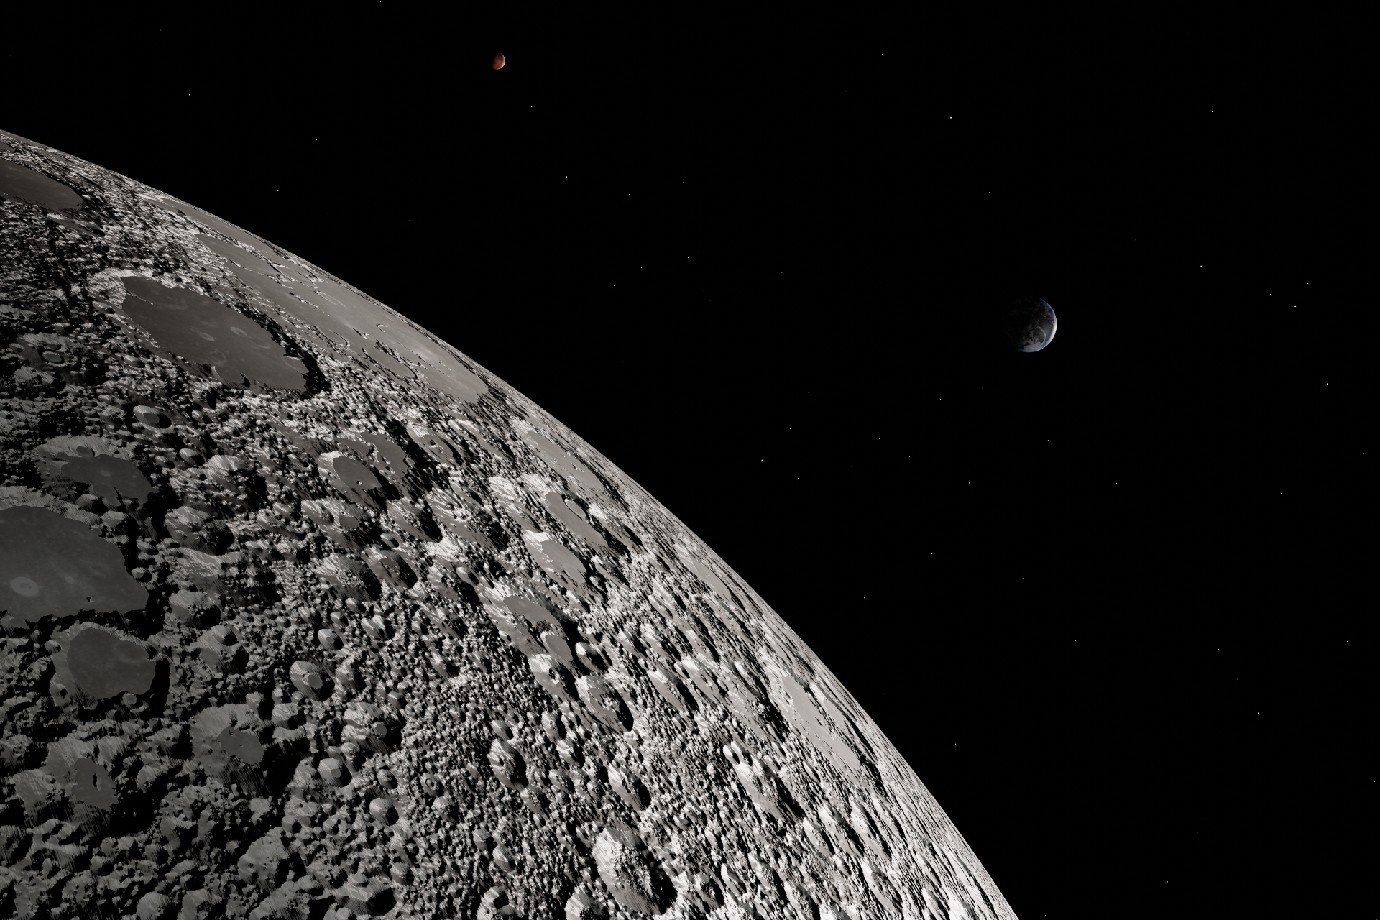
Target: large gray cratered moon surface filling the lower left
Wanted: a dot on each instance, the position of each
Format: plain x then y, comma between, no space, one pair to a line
308,616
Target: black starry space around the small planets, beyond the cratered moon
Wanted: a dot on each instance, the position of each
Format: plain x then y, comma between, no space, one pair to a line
1113,601
